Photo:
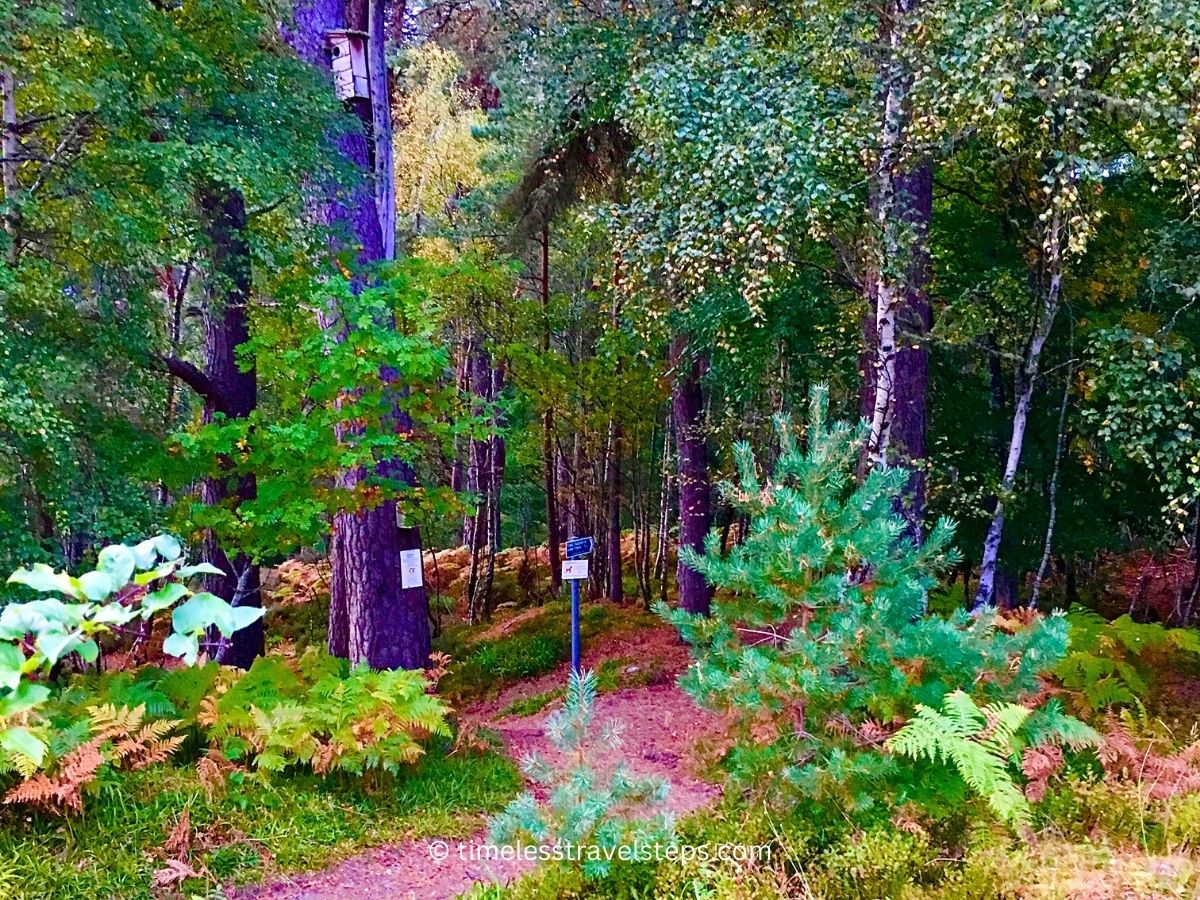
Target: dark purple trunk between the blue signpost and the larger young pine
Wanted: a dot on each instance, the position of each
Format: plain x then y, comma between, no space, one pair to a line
695,491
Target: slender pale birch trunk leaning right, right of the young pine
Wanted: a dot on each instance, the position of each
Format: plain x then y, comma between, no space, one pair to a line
1025,385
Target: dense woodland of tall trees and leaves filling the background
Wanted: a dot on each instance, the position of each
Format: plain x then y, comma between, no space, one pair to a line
617,238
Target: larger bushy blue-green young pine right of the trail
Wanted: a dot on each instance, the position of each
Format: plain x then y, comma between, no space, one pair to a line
820,647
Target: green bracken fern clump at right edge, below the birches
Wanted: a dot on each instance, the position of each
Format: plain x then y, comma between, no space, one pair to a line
1113,664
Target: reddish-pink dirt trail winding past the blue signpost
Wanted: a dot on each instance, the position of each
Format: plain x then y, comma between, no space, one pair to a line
663,733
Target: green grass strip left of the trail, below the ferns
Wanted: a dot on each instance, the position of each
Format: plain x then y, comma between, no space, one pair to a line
293,824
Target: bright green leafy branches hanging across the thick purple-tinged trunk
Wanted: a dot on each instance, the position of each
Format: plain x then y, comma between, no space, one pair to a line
333,406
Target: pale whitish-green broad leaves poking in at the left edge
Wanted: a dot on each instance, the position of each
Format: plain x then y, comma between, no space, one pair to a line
130,585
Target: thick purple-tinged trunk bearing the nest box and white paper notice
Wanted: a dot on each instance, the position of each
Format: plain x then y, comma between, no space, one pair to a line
373,620
